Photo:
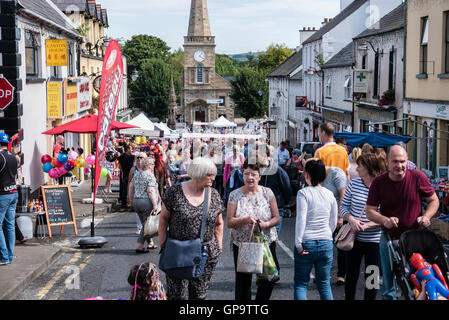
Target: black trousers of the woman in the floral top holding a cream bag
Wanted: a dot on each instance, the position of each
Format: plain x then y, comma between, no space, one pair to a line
243,280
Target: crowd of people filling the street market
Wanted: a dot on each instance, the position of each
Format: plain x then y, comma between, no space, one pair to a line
371,189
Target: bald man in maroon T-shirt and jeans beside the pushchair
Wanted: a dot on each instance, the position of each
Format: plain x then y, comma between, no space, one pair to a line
394,202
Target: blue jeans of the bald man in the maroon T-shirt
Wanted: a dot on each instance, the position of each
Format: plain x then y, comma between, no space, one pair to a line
388,286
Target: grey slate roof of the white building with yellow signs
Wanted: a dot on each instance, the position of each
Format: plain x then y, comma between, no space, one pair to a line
47,11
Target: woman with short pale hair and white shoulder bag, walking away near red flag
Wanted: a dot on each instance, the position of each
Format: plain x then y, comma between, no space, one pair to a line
146,199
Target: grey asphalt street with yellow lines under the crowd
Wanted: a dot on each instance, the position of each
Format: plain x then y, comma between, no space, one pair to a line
103,272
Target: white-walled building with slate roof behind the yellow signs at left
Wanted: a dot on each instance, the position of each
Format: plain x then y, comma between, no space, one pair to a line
39,21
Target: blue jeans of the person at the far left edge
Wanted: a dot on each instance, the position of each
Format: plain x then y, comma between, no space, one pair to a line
8,203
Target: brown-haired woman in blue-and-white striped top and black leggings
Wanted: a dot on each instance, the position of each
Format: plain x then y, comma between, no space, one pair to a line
366,244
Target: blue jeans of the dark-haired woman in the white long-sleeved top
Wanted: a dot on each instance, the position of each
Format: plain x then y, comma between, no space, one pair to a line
320,256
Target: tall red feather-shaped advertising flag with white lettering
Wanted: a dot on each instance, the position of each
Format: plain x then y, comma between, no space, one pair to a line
111,83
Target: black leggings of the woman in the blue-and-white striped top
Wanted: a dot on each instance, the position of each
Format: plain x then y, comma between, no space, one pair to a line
370,252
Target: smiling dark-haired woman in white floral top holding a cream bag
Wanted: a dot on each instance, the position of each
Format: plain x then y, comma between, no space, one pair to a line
249,205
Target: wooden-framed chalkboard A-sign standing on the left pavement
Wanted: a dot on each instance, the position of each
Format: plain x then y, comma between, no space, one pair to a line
58,207
